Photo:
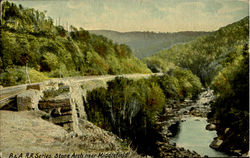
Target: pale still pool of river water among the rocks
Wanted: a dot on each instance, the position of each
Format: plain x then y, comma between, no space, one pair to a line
194,136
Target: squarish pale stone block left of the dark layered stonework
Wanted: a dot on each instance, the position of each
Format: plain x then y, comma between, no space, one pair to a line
28,100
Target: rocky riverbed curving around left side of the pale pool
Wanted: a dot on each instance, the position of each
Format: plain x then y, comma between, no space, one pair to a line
174,112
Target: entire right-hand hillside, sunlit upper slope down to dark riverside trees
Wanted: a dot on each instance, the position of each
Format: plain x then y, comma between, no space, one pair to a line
221,61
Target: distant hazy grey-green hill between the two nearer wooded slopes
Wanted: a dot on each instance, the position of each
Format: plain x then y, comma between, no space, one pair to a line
146,44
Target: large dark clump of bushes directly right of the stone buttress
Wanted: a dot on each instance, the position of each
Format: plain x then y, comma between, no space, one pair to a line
128,108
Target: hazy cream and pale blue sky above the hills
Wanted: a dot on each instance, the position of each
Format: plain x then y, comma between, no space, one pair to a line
144,15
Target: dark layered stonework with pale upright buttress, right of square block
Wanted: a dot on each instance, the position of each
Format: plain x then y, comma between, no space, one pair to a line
63,105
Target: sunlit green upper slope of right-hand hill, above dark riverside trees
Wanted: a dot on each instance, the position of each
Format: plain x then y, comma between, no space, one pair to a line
206,55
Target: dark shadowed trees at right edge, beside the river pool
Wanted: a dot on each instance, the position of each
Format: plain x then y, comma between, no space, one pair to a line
232,104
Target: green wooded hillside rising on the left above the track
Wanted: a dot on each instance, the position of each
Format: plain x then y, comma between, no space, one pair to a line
29,37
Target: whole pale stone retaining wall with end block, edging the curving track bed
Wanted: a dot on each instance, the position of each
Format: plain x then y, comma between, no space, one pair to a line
62,100
